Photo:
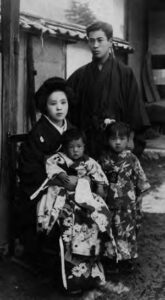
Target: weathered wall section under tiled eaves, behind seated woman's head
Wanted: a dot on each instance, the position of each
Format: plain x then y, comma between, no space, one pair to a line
37,62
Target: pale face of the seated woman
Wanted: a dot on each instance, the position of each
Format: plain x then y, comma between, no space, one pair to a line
57,107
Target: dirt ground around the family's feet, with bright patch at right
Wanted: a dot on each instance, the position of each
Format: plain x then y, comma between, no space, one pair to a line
146,282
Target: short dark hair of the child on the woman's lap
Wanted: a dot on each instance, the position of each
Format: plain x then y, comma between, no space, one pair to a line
70,135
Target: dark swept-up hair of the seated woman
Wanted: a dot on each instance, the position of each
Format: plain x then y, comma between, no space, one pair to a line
49,86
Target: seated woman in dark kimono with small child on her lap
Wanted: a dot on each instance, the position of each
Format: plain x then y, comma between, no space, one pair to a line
42,141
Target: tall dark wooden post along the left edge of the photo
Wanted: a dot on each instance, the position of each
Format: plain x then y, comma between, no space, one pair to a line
10,51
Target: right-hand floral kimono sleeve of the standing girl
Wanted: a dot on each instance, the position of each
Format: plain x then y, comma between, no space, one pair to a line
140,179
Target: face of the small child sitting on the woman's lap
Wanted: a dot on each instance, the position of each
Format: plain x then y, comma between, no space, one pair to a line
75,149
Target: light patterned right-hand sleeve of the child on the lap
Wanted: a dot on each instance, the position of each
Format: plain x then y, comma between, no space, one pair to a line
95,171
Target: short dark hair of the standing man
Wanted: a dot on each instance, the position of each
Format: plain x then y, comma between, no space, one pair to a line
99,25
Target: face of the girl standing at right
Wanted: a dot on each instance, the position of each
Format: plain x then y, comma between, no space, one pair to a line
118,143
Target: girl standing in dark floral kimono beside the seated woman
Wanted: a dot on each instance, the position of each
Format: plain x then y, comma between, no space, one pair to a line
127,184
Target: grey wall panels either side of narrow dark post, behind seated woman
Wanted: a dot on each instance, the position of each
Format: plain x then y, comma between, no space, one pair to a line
49,60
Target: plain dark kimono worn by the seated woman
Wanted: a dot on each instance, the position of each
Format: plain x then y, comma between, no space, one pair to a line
42,141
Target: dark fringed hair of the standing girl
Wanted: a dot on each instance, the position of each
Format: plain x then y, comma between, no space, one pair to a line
117,128
